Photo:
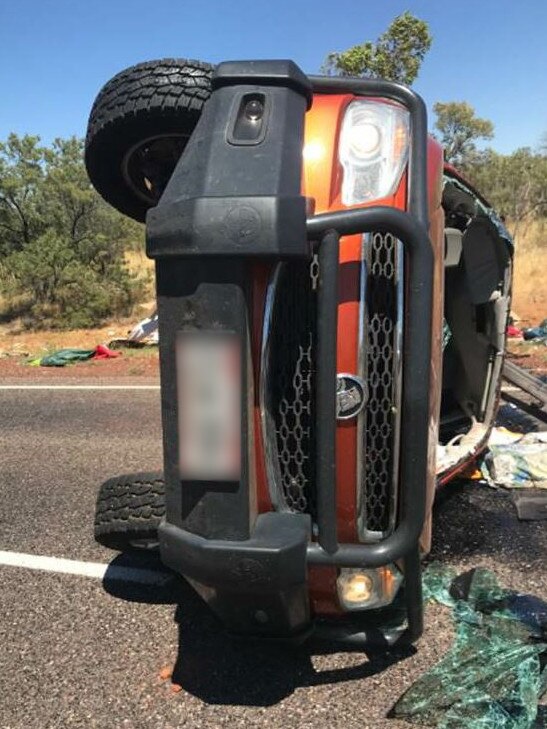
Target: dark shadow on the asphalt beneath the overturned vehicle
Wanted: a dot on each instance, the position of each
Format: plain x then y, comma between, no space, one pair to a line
221,669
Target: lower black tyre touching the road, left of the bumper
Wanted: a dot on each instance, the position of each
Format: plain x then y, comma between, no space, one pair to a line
129,511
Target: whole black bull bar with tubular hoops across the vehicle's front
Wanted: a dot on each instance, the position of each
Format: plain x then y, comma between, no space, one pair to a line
253,569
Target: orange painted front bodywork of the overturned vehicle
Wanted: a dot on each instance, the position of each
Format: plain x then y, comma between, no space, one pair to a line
321,184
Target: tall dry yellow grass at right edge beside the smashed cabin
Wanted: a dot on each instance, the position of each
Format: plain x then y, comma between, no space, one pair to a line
530,275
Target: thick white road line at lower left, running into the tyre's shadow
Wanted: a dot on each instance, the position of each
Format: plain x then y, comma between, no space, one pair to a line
84,569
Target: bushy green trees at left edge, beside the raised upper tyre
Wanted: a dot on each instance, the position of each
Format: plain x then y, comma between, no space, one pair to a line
61,246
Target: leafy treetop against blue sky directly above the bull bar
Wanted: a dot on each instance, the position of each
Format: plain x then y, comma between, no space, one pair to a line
396,55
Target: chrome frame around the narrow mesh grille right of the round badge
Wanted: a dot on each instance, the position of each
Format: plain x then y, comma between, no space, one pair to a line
364,534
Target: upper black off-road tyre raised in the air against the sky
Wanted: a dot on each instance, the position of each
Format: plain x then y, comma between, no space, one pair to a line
139,125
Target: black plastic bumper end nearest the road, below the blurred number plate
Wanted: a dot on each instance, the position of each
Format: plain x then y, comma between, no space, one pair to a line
255,586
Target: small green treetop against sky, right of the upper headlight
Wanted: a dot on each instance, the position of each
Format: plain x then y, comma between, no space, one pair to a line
459,131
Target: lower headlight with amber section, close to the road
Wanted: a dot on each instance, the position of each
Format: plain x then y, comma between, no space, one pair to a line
360,589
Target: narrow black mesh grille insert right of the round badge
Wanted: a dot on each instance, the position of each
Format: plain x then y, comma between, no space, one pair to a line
380,416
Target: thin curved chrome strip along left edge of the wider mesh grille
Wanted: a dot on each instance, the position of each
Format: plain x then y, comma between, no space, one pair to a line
269,439
